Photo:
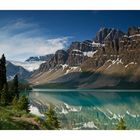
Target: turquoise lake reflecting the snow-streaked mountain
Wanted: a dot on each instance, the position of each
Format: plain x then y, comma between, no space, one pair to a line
89,109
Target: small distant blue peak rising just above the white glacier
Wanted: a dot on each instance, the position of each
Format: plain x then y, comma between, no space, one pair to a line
39,58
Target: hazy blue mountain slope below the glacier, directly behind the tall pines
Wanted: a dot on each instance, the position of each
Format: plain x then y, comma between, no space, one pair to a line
13,69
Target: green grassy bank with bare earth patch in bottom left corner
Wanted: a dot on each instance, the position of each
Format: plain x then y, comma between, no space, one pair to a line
11,119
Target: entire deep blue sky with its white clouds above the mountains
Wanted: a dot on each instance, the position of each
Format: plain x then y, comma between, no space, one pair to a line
33,33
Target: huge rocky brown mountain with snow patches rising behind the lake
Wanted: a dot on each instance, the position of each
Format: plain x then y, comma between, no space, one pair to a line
110,60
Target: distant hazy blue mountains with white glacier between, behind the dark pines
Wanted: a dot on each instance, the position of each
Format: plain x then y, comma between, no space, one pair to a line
25,69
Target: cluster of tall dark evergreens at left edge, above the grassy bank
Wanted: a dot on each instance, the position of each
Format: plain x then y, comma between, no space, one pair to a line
9,92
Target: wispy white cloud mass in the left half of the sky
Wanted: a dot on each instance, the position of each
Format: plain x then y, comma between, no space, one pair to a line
20,40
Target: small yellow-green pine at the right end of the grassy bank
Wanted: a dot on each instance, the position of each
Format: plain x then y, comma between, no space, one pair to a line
51,119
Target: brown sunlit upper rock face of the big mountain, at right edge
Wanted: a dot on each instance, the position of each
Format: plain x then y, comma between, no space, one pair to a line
125,48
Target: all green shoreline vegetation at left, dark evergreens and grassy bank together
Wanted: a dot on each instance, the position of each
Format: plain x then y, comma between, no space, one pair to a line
14,107
